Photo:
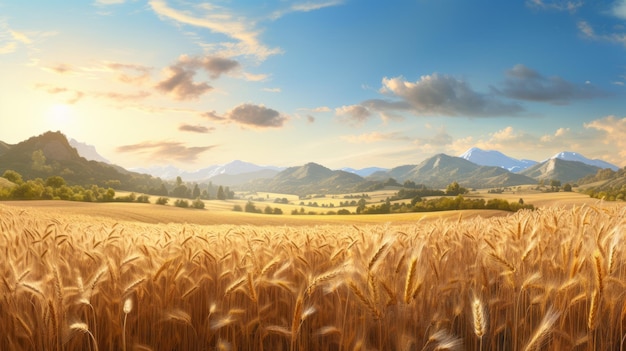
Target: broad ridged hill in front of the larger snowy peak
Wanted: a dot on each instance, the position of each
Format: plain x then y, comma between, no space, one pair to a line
441,170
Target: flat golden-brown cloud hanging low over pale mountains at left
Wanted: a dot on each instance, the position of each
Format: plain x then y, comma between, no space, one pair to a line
165,150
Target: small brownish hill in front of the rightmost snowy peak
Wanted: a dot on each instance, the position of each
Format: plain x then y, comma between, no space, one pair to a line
559,169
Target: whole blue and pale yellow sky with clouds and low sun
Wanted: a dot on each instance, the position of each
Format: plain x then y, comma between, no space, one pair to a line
343,83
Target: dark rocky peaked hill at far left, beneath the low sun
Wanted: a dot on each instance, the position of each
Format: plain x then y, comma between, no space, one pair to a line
60,158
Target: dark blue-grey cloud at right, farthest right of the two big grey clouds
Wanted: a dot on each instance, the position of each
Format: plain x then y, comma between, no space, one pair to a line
523,83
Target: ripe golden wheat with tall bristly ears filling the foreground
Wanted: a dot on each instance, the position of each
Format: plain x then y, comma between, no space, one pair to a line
550,279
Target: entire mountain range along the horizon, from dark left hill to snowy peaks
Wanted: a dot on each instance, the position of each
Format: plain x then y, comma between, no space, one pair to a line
475,168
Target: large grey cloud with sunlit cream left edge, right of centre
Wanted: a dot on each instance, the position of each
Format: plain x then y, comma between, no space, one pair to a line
445,96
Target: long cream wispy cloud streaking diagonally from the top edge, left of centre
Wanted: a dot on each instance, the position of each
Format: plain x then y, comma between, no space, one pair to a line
220,20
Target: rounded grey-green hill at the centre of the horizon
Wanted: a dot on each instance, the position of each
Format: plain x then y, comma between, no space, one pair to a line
311,178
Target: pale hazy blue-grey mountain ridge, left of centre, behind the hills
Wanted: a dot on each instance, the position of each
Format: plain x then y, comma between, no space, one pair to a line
231,168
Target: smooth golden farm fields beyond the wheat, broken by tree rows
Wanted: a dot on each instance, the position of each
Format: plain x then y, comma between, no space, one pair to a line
220,212
